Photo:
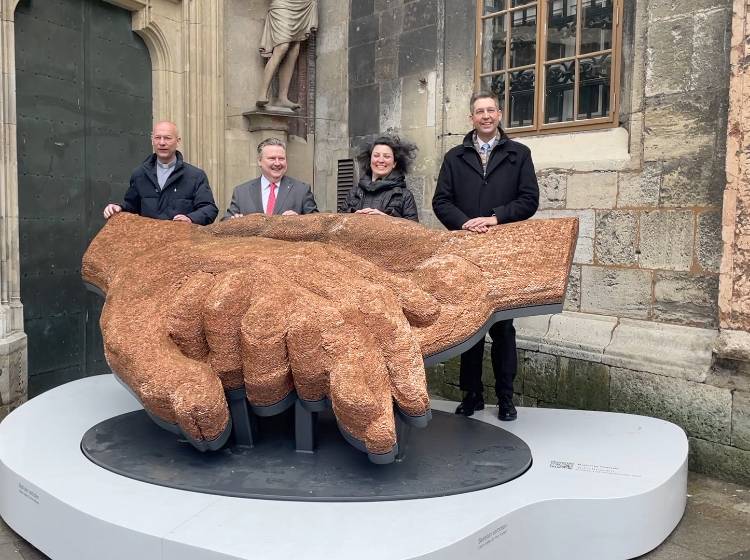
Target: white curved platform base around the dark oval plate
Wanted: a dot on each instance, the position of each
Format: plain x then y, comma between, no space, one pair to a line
602,486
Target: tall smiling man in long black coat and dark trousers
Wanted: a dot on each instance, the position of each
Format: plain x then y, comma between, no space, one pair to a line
486,181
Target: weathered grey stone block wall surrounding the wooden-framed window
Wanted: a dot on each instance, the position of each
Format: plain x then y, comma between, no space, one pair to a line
655,317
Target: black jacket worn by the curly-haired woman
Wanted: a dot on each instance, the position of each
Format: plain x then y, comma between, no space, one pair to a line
390,195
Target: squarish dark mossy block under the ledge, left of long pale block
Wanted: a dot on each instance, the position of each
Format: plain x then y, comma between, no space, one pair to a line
583,385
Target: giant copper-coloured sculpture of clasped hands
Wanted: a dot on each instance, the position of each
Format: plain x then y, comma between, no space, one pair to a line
329,306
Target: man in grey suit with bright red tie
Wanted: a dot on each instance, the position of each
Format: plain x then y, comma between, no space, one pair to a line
273,192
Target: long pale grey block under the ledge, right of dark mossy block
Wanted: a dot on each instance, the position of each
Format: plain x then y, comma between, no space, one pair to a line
701,410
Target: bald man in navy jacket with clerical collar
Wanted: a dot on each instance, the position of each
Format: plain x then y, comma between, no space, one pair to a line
165,187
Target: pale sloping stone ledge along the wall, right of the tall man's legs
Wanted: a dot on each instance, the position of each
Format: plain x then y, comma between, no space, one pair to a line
670,350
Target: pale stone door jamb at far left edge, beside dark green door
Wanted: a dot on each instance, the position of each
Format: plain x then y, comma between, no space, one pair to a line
13,363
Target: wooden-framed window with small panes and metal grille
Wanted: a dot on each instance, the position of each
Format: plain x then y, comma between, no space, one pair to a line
554,64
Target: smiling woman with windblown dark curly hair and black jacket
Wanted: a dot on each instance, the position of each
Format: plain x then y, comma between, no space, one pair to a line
382,187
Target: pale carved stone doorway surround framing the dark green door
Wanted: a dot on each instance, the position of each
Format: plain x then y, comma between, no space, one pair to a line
205,72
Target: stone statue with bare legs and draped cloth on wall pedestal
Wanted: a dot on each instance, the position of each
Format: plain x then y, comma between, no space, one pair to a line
288,23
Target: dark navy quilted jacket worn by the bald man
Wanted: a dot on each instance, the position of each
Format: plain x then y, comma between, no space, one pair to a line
186,192
